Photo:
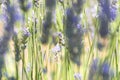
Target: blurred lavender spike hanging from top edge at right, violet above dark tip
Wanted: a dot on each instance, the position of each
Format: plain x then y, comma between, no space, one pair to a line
104,16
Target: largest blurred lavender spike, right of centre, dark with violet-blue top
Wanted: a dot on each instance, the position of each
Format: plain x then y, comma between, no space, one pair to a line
74,34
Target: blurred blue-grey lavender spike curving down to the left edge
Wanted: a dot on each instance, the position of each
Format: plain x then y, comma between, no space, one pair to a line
8,29
